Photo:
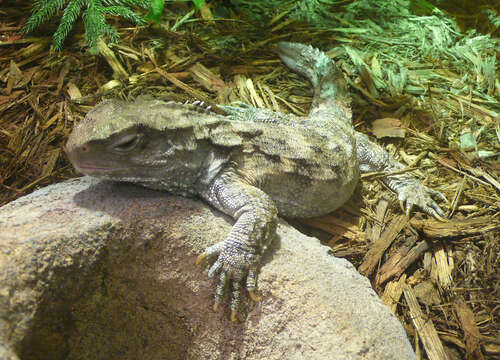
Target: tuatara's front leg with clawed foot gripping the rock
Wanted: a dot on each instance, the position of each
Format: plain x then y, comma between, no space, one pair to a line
238,257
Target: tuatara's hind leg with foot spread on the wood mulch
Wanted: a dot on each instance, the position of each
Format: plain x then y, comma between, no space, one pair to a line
411,192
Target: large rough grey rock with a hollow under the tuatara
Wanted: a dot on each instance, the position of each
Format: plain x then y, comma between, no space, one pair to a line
95,270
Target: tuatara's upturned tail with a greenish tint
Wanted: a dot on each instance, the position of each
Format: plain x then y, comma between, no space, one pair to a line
330,87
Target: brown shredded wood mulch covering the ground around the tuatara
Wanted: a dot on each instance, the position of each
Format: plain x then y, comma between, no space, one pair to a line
440,278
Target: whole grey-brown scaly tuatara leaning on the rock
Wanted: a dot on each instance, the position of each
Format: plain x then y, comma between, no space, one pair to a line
251,164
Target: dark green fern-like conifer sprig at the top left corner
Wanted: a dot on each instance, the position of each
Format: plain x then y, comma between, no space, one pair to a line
94,17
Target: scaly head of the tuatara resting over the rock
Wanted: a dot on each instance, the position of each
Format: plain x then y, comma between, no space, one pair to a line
141,142
